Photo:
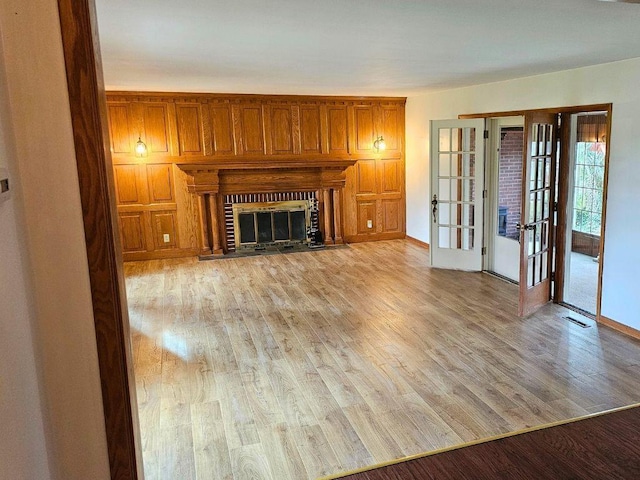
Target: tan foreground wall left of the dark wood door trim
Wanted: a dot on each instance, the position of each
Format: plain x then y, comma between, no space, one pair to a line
48,286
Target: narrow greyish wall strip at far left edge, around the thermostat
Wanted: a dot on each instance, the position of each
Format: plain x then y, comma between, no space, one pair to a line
23,449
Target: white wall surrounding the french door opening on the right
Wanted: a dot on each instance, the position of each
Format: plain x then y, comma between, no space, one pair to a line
617,83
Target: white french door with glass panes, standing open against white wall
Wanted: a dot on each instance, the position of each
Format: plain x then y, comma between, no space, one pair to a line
457,183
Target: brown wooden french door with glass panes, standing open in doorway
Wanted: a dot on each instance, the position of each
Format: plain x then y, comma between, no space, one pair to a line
536,223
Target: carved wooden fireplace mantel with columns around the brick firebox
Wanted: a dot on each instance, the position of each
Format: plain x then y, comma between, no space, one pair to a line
211,181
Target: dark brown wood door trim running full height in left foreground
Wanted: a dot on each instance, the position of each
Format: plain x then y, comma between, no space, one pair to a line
87,103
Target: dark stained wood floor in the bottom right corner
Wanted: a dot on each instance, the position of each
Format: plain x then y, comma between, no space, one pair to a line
604,447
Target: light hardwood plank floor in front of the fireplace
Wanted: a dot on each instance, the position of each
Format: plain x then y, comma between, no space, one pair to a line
301,365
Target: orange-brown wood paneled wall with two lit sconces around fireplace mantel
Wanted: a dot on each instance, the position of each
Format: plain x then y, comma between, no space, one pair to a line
158,216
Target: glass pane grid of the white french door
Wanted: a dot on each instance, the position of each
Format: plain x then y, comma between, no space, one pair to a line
456,188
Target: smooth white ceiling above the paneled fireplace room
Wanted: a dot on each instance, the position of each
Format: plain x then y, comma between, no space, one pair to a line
353,47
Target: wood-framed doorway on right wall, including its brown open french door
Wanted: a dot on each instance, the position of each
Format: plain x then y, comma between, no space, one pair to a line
555,161
